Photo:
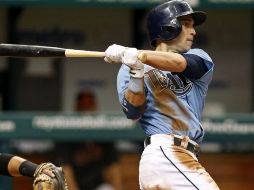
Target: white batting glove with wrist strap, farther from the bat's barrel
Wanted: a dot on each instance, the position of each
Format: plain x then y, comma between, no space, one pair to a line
130,58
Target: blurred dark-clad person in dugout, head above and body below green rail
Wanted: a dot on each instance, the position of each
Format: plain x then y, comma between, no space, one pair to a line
89,165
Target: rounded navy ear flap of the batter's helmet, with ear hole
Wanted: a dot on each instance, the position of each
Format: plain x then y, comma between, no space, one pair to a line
171,30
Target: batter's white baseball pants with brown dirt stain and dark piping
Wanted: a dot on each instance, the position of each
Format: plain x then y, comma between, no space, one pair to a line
164,166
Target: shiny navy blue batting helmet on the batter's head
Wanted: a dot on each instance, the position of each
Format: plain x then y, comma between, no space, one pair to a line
163,23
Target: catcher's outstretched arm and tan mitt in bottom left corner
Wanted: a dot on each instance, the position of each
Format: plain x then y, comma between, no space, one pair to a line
46,175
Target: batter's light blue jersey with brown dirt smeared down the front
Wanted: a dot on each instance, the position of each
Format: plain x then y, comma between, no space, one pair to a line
174,103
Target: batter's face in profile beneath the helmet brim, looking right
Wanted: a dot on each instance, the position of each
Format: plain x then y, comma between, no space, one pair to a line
184,41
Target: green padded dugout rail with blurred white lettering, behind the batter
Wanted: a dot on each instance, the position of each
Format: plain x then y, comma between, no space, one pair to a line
113,126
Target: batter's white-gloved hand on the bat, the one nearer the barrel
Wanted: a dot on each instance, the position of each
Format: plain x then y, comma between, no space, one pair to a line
114,53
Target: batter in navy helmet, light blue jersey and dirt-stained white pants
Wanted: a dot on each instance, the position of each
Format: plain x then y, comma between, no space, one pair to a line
165,93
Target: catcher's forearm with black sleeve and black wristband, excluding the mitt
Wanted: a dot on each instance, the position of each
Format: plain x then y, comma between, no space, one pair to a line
14,166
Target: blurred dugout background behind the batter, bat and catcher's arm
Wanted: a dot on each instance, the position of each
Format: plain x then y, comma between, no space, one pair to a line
66,110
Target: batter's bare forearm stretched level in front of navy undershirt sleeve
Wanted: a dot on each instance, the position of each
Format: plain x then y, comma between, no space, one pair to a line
167,61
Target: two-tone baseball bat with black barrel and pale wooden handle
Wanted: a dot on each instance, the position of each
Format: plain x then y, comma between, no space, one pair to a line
17,50
